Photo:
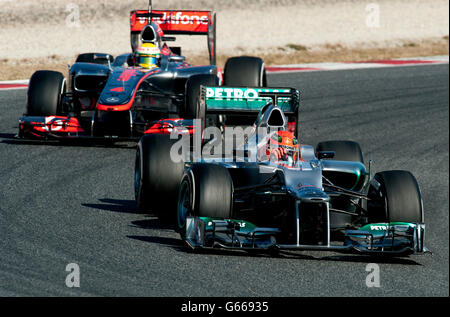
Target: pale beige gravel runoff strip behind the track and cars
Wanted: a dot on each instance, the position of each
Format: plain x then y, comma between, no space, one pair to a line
53,32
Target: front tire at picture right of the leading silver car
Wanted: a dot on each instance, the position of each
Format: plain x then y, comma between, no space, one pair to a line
395,197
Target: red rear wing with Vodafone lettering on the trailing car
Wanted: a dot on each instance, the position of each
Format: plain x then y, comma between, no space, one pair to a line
188,22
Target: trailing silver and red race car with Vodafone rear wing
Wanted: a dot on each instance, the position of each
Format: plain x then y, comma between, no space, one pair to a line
109,97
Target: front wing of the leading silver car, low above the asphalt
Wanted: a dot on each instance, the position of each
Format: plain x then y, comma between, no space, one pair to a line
395,239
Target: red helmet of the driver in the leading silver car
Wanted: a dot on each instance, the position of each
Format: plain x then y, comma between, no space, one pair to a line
283,146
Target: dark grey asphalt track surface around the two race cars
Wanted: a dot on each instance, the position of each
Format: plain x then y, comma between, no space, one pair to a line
75,204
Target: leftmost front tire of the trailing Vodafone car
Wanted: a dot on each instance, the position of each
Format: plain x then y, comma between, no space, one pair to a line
45,91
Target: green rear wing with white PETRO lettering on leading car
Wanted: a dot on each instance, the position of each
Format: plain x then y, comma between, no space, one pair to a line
249,100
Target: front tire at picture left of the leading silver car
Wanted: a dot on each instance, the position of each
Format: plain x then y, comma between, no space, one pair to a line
206,190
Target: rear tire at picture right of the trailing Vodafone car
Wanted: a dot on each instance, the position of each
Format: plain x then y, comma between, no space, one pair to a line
245,71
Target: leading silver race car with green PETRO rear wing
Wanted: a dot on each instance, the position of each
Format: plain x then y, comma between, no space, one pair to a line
325,200
